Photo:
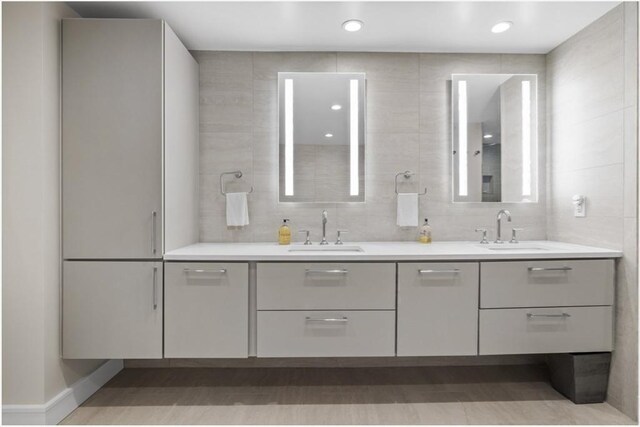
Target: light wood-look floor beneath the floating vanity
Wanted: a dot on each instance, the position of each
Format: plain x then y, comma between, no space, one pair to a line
401,395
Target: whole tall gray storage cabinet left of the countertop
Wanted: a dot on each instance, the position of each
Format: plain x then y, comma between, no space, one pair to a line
129,126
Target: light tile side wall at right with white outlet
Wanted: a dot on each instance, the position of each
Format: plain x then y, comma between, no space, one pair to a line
593,93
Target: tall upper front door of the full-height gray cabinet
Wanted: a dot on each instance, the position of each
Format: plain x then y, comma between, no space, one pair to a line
112,138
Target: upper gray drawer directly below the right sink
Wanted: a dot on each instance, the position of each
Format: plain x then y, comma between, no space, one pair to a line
546,283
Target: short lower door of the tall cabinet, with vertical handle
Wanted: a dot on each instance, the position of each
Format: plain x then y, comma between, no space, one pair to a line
112,310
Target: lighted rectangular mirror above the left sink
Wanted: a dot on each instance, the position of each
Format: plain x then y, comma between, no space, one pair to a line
321,137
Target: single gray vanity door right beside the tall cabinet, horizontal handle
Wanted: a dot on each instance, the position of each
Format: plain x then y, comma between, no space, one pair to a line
206,310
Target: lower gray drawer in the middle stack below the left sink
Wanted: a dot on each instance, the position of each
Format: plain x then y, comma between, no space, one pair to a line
326,333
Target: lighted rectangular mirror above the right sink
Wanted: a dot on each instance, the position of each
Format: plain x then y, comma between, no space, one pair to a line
495,138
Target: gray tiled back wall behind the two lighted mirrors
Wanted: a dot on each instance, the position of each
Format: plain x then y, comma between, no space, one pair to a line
408,127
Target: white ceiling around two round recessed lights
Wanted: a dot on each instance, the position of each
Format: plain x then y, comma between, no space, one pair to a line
388,26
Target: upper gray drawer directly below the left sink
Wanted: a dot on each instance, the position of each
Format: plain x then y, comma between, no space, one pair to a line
326,286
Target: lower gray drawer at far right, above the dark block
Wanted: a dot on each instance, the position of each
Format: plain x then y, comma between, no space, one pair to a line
546,330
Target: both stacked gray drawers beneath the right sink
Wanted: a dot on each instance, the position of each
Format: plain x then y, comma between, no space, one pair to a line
546,306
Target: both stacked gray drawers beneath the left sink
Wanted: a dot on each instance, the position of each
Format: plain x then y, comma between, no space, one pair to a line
326,309
